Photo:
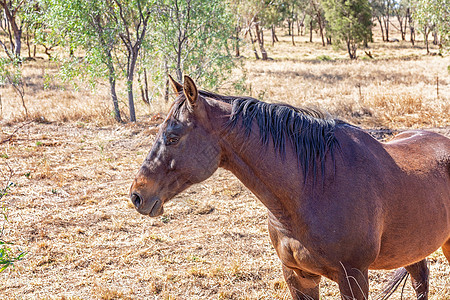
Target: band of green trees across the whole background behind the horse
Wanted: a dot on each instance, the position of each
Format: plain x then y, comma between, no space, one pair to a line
140,42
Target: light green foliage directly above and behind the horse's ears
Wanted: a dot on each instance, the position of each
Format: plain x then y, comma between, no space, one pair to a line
190,37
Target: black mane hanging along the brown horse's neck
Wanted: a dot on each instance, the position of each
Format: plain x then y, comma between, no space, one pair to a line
310,132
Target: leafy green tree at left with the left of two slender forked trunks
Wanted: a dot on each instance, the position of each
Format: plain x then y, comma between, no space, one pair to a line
85,25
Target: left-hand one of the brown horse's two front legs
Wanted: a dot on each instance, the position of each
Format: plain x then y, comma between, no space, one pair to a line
302,285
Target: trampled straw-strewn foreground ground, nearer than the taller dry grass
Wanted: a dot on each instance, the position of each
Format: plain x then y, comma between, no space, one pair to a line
70,211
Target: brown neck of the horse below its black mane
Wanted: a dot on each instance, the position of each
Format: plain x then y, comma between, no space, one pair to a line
261,169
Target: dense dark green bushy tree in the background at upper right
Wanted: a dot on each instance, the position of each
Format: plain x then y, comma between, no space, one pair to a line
349,21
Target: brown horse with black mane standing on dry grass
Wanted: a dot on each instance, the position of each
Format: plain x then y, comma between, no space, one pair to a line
339,202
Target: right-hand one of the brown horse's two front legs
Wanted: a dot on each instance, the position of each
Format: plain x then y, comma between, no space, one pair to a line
353,283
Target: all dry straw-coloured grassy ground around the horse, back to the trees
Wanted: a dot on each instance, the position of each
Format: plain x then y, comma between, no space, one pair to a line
73,167
